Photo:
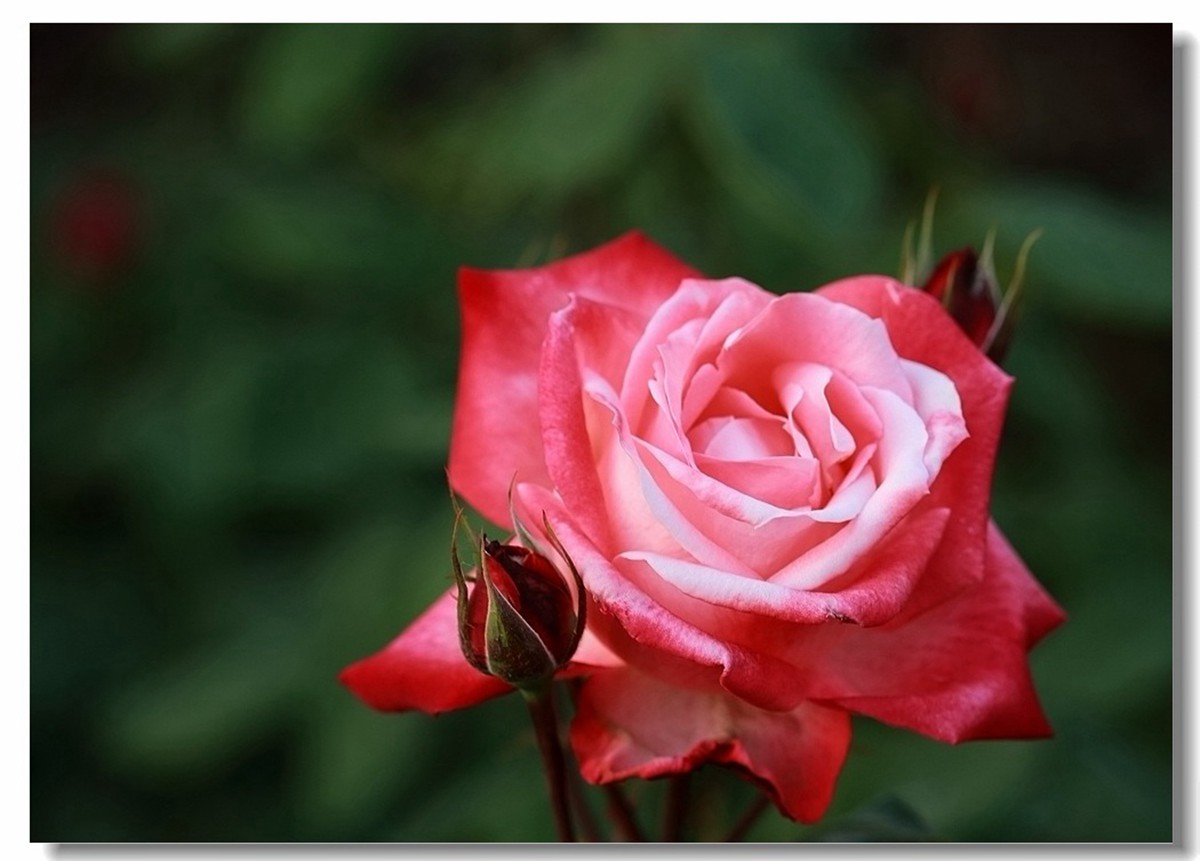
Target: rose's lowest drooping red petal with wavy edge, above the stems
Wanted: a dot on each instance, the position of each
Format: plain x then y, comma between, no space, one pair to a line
632,726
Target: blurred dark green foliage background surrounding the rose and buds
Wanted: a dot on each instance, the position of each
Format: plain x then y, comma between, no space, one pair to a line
244,345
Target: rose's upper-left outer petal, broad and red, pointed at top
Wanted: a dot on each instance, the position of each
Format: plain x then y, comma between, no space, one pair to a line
505,321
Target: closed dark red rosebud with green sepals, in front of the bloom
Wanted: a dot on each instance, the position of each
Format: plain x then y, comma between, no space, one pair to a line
519,621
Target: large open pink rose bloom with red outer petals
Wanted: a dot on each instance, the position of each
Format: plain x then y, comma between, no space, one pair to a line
778,507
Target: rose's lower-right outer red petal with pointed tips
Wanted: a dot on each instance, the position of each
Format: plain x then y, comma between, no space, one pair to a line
961,671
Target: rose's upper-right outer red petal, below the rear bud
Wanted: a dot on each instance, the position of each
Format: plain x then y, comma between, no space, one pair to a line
922,332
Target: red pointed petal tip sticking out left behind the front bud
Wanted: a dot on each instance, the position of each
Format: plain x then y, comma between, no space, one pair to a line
423,669
